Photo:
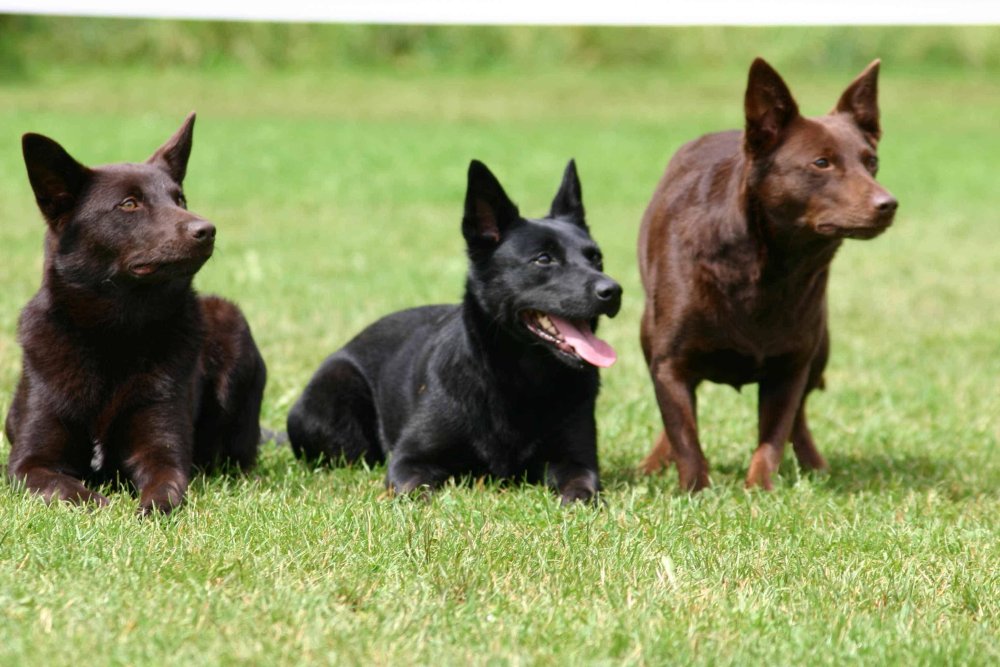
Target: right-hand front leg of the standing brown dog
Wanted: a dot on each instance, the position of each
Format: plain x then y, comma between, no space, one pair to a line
778,402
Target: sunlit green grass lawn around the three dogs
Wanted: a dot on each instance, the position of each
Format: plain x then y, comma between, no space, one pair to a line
337,195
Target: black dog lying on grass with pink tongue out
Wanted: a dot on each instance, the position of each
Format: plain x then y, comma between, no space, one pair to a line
503,384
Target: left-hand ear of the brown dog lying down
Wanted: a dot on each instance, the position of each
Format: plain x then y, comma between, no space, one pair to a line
56,178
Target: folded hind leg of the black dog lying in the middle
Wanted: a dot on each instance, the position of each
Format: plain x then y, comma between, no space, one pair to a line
335,418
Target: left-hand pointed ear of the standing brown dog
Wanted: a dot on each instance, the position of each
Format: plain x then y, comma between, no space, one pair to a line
769,108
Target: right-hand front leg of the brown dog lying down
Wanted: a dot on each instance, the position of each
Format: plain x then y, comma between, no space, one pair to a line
158,456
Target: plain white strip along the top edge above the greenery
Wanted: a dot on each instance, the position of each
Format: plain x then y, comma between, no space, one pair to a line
538,12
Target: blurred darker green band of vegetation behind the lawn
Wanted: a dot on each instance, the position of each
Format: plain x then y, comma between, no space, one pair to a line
30,43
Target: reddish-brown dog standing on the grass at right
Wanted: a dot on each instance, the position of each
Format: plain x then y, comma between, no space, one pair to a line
735,251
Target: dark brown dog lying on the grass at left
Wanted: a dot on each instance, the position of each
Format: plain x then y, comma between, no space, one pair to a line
125,370
